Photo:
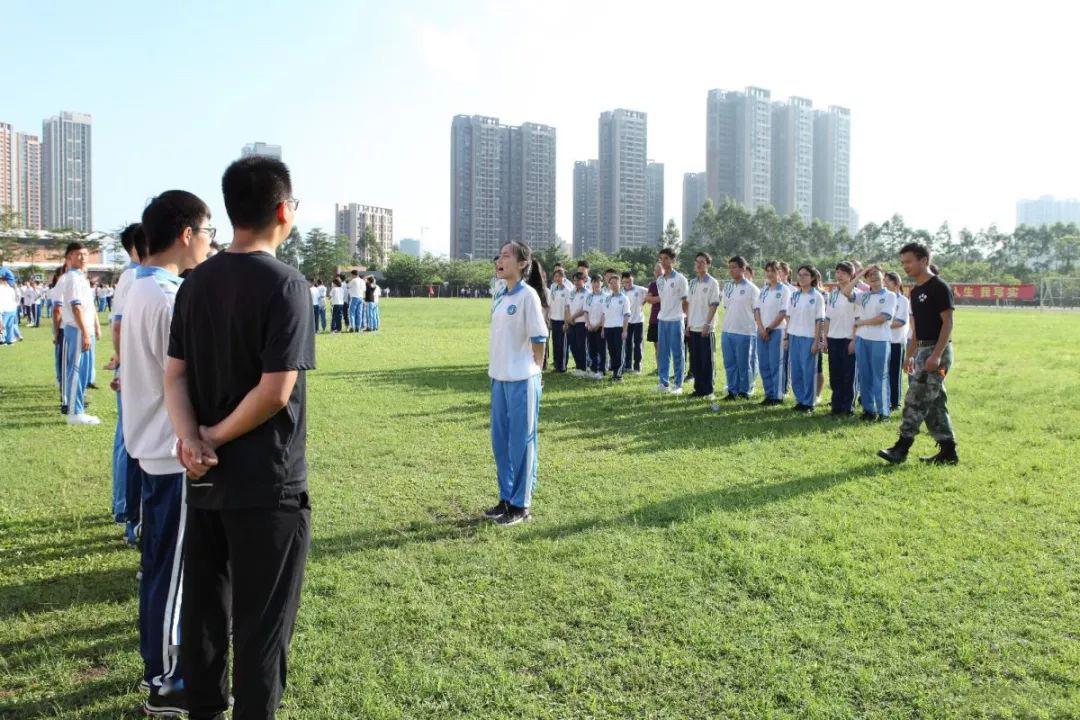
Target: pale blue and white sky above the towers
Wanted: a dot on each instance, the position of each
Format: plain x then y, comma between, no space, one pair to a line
960,110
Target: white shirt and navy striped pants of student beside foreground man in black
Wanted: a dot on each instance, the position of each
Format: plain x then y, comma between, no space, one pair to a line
152,442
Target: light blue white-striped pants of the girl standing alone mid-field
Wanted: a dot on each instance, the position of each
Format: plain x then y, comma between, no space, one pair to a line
516,415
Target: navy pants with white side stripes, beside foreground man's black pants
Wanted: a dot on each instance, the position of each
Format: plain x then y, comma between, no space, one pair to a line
164,519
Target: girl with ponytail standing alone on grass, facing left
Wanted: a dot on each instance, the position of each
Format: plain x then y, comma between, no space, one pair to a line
519,339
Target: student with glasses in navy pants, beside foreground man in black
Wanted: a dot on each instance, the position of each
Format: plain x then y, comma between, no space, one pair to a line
179,235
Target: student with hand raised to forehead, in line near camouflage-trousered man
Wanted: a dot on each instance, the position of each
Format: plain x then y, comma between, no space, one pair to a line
874,313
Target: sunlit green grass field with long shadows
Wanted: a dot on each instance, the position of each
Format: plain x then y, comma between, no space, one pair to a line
681,565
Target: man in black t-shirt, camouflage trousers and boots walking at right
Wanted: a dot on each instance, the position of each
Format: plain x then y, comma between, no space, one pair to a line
929,360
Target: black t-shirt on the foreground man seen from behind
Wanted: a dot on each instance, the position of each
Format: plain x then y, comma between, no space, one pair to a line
237,317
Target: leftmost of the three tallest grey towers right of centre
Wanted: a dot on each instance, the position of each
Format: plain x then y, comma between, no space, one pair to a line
739,146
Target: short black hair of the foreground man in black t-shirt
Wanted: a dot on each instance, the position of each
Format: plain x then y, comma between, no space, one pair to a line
254,187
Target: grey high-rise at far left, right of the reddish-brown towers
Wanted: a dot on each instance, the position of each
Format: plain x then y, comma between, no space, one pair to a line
66,178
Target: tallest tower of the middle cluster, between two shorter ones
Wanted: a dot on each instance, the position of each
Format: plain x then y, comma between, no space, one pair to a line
624,147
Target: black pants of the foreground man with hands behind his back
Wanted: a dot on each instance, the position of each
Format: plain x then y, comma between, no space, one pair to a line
248,564
